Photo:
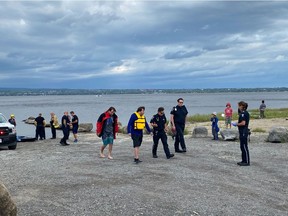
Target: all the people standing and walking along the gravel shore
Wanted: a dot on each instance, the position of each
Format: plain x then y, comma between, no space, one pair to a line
107,128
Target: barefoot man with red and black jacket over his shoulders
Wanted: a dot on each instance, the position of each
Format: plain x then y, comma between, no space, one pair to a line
107,127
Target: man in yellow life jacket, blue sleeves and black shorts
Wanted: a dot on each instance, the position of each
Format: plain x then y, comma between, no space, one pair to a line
136,125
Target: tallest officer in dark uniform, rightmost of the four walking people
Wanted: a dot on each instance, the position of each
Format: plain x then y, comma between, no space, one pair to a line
178,121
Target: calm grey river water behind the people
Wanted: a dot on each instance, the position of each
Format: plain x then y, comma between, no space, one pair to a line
89,107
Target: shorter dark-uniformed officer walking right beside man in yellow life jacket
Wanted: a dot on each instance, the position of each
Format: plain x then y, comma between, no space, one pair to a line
159,124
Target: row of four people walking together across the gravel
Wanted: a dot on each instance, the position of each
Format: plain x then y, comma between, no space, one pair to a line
107,127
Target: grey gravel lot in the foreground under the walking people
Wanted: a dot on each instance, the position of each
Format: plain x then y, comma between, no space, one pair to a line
45,178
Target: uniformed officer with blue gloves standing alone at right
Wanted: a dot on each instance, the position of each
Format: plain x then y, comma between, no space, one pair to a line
243,123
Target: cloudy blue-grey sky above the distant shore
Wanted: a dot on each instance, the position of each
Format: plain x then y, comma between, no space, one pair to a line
143,44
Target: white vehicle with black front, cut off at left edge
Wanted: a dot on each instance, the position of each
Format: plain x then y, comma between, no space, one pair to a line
8,136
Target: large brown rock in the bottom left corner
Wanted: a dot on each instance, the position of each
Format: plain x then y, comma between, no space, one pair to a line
7,205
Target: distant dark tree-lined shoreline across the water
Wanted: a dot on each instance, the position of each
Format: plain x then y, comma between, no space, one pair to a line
99,92
